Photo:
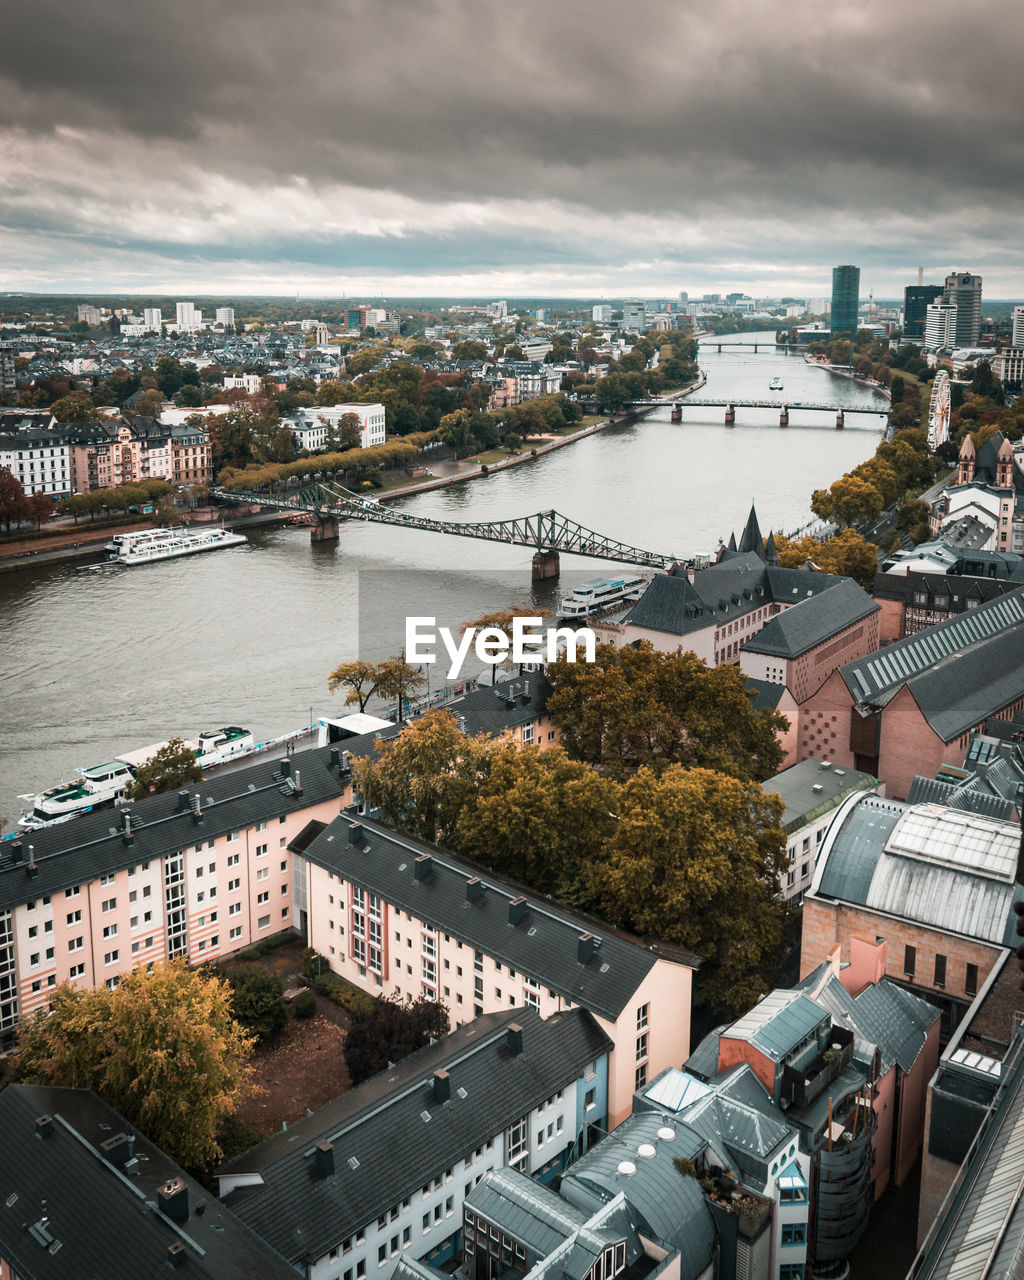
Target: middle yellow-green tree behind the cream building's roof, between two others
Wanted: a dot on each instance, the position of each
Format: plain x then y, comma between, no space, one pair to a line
540,817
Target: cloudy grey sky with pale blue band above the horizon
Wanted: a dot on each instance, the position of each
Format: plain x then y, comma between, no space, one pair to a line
509,148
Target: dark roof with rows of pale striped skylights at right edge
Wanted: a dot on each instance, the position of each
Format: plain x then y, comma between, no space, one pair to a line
959,671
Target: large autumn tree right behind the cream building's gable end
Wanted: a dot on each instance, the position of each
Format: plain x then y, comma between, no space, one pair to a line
696,860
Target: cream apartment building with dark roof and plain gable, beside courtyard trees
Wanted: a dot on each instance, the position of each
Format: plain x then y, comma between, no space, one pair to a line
397,916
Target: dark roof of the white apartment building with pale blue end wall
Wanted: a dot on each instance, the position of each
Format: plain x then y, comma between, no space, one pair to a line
491,1087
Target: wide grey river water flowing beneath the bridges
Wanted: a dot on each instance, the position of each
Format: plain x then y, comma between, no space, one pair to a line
98,660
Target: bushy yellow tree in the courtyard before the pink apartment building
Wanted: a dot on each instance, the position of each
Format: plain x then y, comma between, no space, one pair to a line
162,1049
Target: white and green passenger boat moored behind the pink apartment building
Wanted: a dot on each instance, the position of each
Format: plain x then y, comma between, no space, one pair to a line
104,785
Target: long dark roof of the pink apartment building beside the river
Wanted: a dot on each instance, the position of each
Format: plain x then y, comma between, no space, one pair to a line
77,852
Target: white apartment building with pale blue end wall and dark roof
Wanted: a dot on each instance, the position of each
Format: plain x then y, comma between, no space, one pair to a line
510,1090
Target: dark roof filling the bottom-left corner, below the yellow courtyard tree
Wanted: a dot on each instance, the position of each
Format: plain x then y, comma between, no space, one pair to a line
107,1224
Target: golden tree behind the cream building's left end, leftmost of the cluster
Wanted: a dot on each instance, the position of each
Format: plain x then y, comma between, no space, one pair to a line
424,779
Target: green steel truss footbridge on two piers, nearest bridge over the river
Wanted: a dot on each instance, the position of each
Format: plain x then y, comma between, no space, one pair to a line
548,533
